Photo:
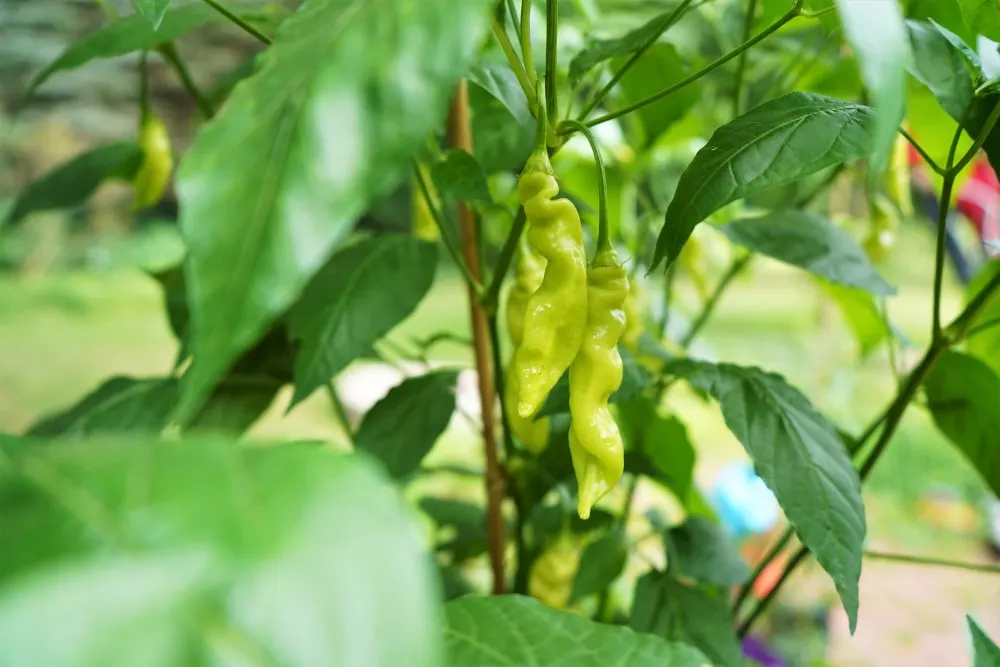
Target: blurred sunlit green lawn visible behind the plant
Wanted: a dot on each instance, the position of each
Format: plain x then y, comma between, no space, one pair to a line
64,333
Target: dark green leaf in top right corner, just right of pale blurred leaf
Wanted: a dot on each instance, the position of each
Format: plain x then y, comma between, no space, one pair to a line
940,66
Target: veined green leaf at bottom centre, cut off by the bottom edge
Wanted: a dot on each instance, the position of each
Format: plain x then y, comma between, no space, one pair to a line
507,630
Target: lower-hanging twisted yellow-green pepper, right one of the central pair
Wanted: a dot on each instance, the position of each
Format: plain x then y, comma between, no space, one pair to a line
595,443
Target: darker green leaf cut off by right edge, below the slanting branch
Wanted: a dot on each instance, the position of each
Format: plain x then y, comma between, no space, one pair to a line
963,394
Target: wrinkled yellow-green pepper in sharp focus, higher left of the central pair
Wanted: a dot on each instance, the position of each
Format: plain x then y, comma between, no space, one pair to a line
557,312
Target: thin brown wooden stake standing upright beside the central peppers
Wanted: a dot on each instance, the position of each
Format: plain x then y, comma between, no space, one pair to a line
460,135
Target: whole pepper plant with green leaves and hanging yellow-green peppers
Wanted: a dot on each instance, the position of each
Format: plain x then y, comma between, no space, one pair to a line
543,146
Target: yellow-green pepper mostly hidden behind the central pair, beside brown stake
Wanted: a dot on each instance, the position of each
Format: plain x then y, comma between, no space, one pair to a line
534,435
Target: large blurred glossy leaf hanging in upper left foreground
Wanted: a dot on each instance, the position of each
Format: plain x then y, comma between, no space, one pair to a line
325,125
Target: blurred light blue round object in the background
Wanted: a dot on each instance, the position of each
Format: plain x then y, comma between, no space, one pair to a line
743,502
